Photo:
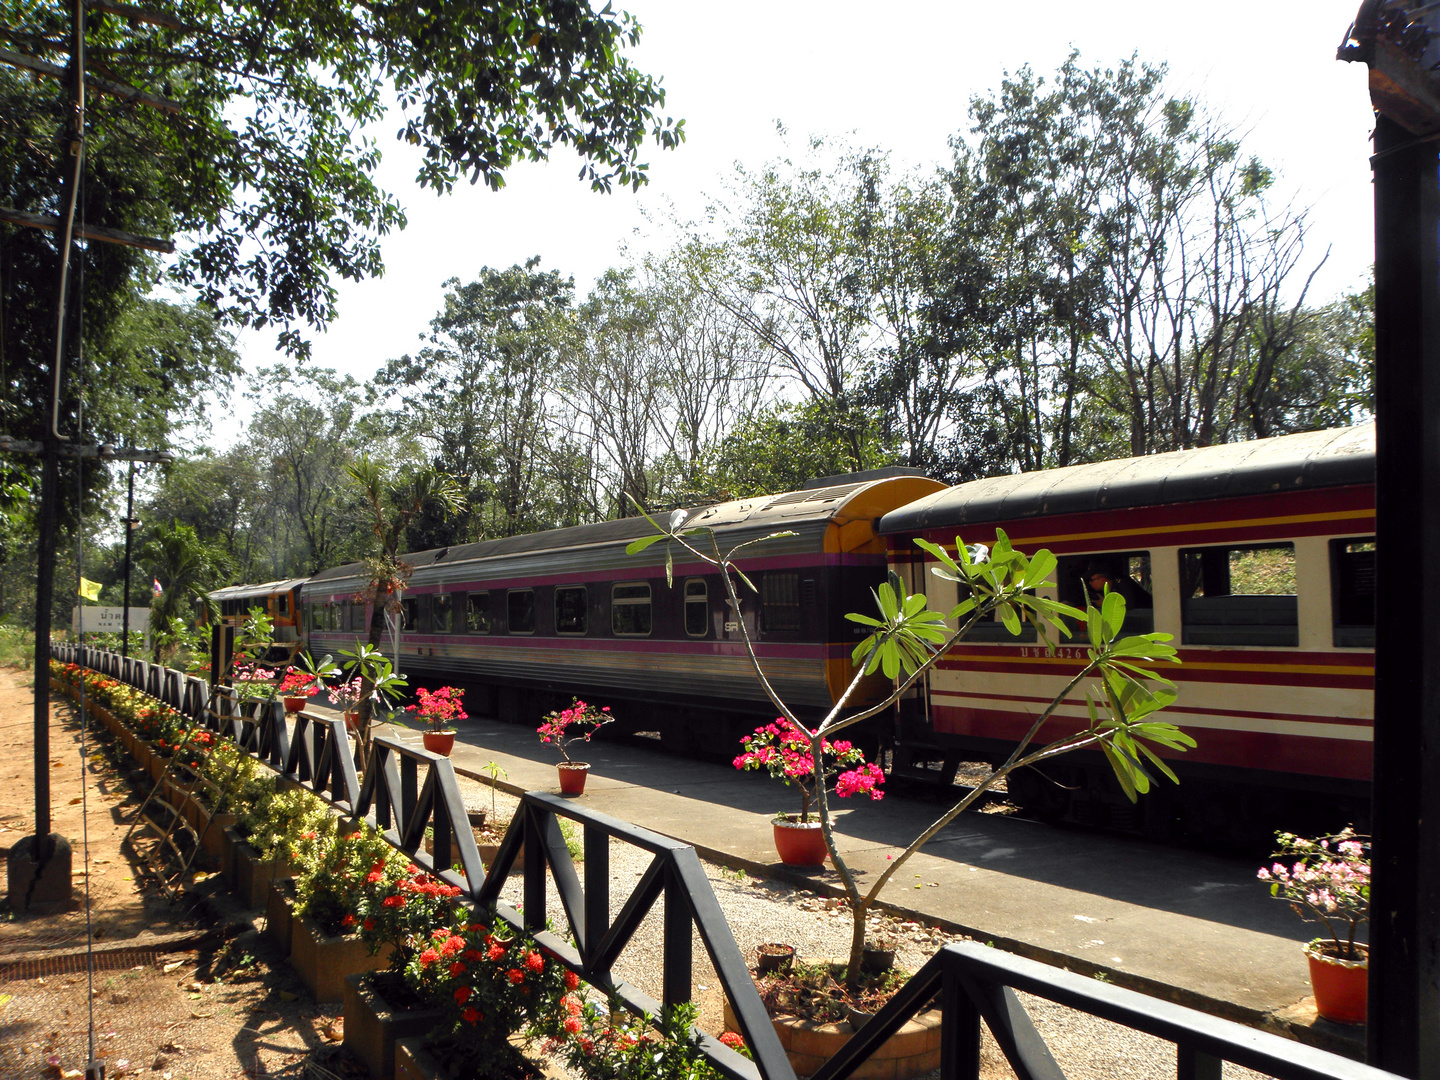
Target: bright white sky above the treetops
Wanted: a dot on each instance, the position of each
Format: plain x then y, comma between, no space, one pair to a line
896,77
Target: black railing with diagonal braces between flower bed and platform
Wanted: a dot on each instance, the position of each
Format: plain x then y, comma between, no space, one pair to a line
407,791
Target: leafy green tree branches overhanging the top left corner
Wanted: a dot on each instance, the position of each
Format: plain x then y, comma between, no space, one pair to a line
264,156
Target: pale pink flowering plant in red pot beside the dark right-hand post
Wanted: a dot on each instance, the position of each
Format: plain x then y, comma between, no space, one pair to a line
1328,879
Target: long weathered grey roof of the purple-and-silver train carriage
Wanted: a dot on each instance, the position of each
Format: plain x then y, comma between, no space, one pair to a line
778,512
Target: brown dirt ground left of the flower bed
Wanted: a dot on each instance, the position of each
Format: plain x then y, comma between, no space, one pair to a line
171,996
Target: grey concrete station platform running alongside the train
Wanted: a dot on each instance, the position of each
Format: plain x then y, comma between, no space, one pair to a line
1187,927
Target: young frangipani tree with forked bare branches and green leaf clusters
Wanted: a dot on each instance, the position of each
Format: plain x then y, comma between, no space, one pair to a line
908,639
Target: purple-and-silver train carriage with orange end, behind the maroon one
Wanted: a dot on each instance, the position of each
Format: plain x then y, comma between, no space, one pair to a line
542,617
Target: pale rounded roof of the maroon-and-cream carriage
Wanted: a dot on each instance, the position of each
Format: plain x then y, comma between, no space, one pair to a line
1290,463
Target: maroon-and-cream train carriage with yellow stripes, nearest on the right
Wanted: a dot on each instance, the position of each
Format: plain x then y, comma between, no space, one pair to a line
1256,557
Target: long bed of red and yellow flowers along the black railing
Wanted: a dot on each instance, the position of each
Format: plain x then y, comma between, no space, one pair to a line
476,981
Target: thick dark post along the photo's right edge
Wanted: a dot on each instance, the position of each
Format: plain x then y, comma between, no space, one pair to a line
1400,44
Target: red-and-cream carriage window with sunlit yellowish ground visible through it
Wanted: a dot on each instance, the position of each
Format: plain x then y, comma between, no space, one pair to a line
1242,595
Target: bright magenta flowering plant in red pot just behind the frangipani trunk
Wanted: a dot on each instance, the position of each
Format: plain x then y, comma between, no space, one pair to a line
786,752
